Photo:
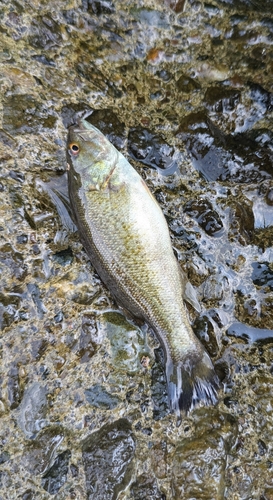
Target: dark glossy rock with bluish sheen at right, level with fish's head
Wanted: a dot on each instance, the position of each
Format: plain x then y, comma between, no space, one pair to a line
223,157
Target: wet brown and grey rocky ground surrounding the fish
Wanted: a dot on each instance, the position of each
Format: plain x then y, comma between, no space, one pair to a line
183,89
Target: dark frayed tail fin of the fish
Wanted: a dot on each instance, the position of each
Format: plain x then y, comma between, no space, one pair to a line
191,380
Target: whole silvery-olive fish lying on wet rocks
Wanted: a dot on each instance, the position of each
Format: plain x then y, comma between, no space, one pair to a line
127,239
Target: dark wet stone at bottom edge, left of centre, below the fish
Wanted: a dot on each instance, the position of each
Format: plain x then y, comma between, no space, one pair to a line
107,458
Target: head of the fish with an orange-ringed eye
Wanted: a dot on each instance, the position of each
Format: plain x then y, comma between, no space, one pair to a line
89,153
